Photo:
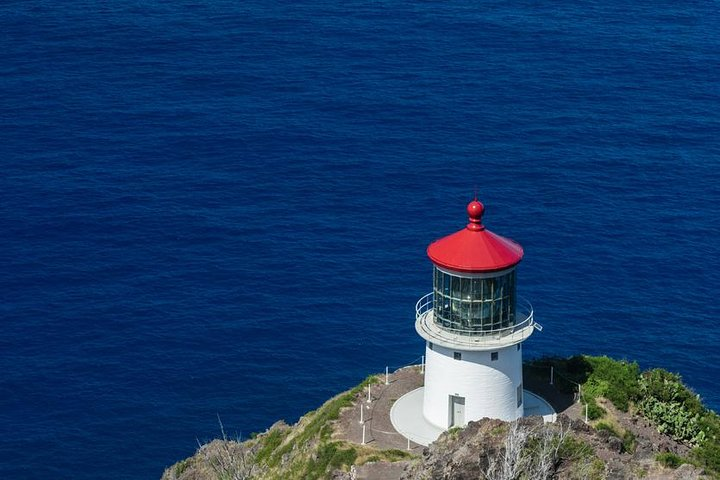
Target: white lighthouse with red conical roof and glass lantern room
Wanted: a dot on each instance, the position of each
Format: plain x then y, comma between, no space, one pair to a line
474,325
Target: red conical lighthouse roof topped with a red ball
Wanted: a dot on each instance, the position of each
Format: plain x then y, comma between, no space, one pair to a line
475,248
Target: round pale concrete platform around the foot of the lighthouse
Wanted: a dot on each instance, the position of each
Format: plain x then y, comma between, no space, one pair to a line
407,418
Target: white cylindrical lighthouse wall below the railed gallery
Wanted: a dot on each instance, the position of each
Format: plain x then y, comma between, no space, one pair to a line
491,387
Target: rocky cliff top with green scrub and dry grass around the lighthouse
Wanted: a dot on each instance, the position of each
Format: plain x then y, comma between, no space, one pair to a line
640,425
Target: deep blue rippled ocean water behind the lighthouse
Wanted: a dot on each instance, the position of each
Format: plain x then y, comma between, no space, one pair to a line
222,208
